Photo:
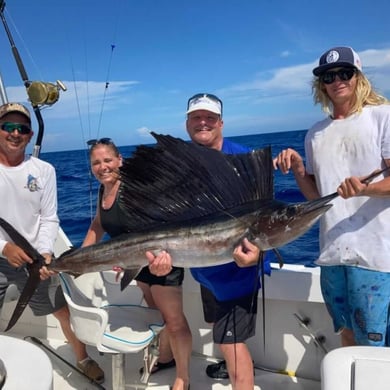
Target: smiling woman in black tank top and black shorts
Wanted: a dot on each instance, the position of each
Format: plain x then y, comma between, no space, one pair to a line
161,292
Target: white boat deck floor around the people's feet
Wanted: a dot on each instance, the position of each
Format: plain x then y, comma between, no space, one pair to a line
65,378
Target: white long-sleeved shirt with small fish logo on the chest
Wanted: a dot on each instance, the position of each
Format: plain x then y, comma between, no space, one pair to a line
28,201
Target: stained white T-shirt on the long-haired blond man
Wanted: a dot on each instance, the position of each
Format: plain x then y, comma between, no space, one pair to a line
355,231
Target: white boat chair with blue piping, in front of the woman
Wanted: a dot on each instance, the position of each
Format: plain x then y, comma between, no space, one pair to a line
114,321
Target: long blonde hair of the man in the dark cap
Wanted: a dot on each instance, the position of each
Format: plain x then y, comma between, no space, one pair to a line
364,95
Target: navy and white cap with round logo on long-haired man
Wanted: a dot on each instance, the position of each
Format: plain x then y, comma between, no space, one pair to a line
342,56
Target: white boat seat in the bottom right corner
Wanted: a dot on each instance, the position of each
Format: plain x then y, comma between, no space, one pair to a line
356,368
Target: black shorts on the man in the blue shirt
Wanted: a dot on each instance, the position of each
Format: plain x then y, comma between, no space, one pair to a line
234,320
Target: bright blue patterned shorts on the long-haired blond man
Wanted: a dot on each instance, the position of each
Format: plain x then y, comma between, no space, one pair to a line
358,299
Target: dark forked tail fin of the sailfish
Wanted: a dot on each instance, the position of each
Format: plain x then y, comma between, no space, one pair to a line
33,269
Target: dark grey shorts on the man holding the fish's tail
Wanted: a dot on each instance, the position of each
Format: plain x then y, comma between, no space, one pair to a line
47,299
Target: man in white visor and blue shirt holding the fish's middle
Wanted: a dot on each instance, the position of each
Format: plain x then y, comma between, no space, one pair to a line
229,291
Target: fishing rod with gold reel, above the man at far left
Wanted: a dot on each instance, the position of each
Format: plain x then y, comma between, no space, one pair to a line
40,93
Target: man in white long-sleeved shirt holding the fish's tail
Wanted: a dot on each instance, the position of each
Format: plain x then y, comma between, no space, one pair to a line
28,201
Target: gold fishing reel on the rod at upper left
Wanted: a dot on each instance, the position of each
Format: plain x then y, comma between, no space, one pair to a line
41,92
